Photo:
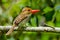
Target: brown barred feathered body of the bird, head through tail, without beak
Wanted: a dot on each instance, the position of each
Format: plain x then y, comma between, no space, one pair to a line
22,17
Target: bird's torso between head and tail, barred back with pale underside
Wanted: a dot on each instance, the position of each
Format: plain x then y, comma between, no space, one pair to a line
22,18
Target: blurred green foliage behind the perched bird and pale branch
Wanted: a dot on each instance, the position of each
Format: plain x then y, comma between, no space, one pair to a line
50,9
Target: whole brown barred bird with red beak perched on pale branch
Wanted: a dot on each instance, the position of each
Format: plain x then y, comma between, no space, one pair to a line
23,17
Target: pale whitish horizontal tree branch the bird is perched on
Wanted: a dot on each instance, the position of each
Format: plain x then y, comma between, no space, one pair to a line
33,29
